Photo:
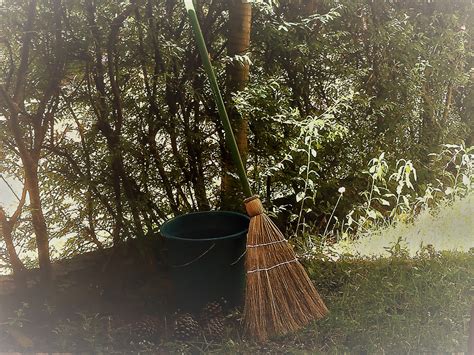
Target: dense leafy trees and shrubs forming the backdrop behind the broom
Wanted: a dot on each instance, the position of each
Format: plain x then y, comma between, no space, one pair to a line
135,138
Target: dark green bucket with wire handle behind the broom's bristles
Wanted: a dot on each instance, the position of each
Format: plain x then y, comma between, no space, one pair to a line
205,256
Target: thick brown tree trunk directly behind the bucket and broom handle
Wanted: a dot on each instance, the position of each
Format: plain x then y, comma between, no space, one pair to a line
240,15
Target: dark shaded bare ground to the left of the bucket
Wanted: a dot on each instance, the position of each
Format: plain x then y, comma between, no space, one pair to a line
120,286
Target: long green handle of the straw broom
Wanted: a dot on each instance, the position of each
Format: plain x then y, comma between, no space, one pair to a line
229,134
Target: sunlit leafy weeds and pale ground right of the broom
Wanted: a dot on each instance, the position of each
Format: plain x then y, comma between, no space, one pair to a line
395,208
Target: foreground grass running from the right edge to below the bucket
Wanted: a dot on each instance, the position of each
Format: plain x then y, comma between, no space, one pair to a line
391,305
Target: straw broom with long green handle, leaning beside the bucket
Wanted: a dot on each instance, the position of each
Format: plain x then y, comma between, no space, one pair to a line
280,298
